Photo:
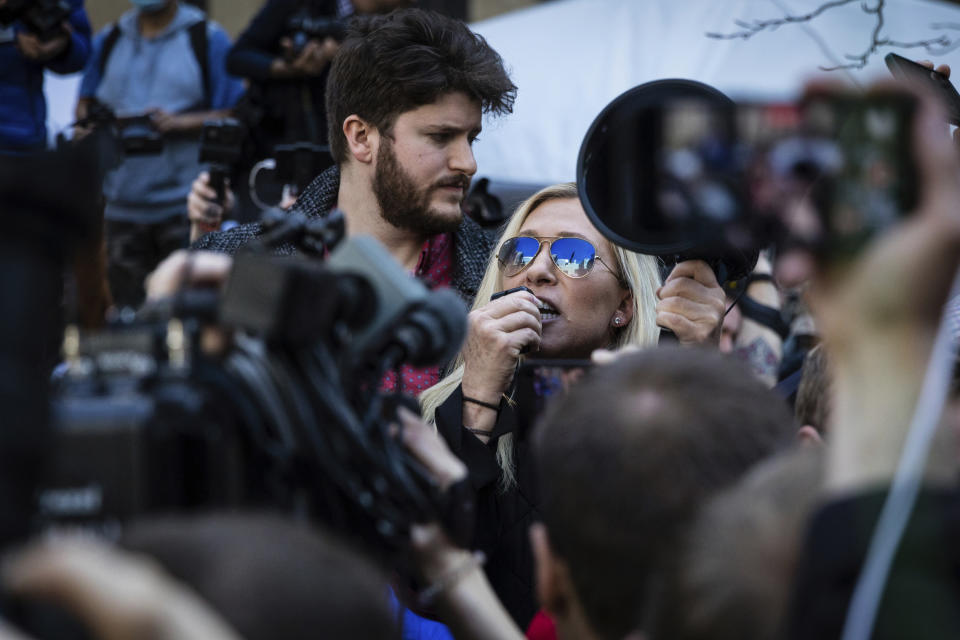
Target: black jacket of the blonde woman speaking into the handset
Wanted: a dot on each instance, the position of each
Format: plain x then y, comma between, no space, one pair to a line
503,517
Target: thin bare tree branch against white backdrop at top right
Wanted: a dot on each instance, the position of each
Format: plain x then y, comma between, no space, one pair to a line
934,46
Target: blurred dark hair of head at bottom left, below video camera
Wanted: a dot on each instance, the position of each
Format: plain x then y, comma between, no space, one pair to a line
270,578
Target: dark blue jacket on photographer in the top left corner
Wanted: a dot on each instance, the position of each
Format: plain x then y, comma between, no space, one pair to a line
23,110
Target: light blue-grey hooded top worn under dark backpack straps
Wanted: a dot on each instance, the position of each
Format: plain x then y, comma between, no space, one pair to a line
158,73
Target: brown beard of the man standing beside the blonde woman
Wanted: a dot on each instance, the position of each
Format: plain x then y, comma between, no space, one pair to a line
405,206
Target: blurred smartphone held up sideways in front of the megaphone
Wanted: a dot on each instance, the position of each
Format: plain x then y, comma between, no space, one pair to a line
827,173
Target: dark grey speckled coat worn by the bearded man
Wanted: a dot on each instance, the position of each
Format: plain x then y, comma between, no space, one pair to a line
472,243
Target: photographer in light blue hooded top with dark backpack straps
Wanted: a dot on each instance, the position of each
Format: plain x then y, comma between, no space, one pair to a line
163,61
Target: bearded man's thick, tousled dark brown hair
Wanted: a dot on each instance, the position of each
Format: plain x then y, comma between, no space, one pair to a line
390,64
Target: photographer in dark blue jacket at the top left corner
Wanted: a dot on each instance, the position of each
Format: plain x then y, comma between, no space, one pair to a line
24,55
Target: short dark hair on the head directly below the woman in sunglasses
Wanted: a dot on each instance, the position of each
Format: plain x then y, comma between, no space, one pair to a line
627,456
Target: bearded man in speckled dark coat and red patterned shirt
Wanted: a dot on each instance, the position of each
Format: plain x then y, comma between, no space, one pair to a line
404,103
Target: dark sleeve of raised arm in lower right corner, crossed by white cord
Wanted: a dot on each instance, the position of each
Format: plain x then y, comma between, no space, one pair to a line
922,595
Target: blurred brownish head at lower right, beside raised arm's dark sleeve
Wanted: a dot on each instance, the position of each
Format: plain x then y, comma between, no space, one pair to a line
738,566
